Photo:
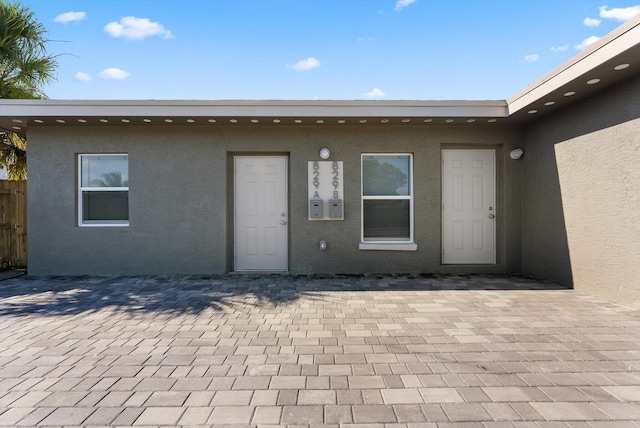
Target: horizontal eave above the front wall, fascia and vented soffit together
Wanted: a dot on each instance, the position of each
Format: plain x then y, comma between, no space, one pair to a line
20,114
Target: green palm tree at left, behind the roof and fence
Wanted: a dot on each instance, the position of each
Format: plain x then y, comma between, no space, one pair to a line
25,67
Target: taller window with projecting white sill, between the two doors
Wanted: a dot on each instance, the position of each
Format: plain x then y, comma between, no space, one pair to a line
387,202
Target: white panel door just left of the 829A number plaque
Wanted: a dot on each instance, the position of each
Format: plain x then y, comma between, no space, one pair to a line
261,215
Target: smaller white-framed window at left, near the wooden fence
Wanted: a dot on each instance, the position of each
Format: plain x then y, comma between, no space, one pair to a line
103,191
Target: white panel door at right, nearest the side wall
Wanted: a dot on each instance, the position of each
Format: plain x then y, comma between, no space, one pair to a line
468,207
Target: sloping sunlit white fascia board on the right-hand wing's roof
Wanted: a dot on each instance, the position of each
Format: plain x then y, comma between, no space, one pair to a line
615,43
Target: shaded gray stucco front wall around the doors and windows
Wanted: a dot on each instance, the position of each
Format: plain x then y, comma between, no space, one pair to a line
180,208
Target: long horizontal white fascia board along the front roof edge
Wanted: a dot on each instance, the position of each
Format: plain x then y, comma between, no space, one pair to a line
107,108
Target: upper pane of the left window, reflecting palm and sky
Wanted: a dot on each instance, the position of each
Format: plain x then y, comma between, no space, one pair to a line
105,171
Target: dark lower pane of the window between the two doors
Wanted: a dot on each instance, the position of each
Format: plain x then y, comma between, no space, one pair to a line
386,219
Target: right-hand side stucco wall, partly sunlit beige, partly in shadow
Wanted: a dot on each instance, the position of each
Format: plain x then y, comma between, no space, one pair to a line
581,195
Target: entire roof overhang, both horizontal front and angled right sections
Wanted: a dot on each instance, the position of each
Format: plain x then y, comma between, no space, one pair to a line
613,58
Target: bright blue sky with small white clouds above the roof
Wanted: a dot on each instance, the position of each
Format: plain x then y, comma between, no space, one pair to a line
315,49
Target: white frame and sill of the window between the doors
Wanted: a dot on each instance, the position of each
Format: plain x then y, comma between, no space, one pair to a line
387,244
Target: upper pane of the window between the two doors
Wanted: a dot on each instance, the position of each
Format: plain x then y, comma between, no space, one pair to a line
385,175
